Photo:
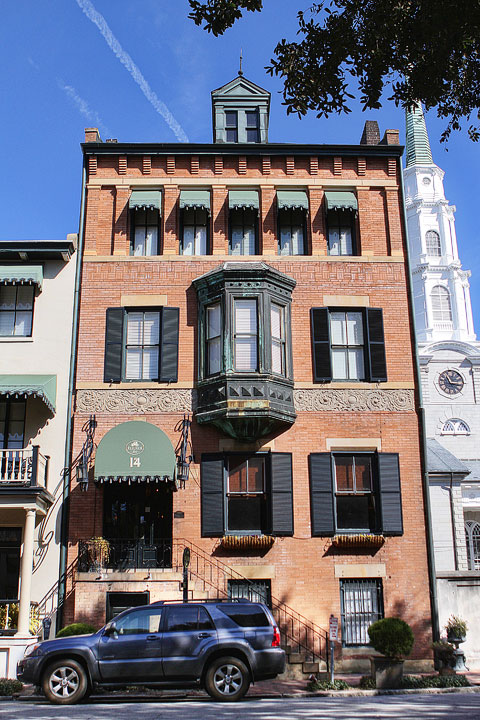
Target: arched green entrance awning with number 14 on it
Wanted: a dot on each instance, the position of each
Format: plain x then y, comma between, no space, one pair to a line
135,451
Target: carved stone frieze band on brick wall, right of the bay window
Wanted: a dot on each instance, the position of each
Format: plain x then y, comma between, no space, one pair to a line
327,399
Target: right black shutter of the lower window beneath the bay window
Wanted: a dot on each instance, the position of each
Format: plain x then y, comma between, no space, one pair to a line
281,500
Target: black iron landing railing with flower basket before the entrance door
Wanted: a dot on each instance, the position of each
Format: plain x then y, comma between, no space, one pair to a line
121,554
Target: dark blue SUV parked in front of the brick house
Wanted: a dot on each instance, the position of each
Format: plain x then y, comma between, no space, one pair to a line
219,646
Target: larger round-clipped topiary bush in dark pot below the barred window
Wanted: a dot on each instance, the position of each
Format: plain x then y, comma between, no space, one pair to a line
393,638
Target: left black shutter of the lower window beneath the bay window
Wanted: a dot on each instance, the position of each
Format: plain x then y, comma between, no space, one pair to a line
211,474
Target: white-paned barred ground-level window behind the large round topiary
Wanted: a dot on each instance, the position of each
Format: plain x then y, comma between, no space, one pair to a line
361,605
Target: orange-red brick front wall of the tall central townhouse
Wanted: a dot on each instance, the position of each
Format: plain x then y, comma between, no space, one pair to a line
304,567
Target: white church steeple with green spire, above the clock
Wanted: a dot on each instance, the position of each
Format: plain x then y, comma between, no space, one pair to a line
441,289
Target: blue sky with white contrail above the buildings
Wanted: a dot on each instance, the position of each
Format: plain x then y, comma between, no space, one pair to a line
144,73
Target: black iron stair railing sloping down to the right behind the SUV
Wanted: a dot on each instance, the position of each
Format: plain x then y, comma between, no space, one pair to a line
298,632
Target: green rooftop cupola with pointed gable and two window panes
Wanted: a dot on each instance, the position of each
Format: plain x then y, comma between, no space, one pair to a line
240,112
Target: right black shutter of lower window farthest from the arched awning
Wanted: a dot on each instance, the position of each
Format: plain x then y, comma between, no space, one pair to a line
390,494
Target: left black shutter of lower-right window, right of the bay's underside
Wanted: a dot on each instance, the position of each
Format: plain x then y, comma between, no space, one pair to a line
322,511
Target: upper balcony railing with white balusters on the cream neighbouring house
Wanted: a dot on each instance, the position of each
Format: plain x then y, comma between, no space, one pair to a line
26,467
